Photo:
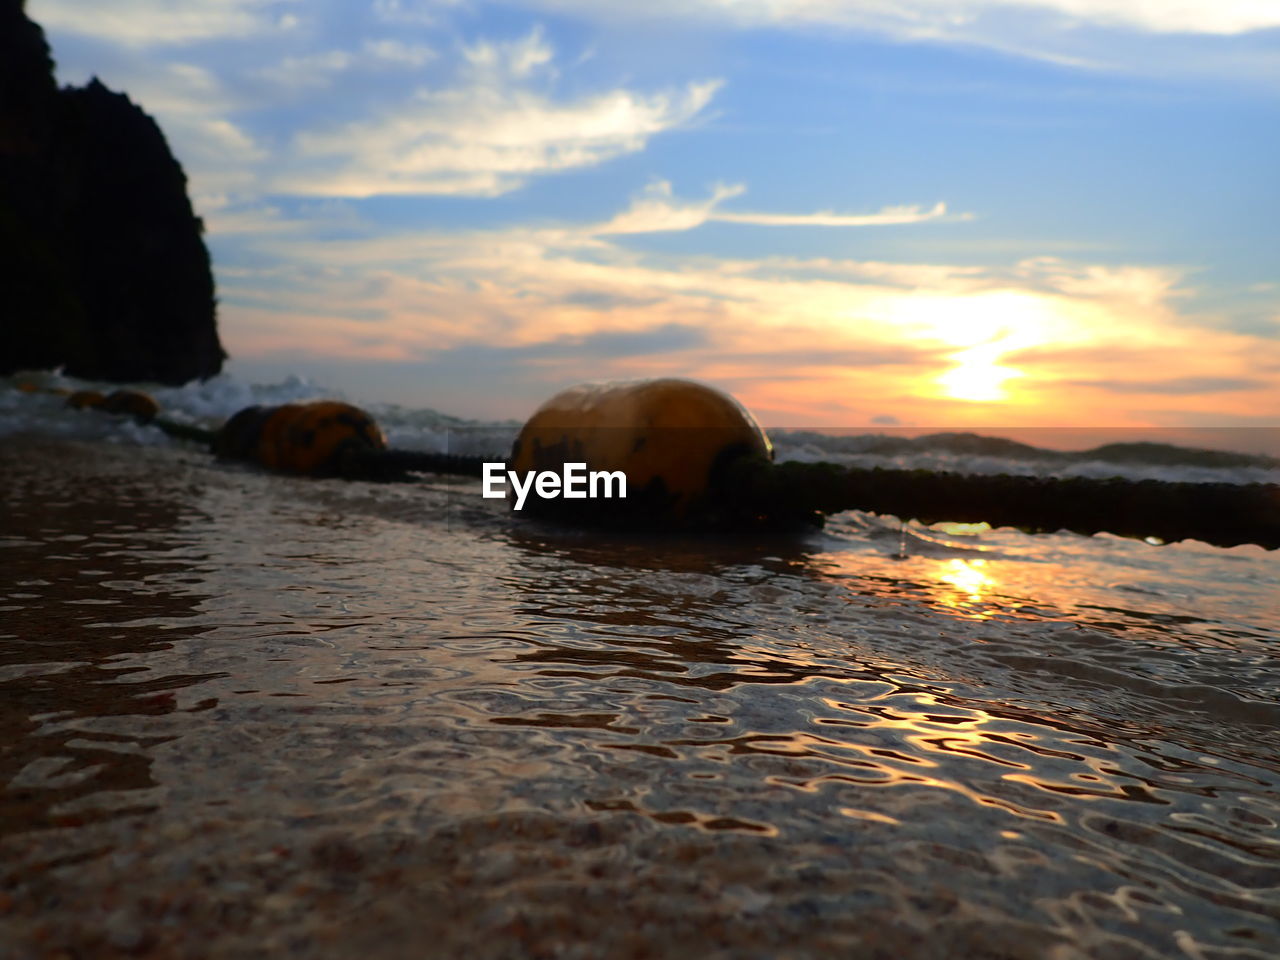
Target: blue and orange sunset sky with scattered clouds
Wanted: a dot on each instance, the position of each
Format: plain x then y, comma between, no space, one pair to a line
950,214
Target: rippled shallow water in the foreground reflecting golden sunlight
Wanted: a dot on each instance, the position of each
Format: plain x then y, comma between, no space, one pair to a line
249,714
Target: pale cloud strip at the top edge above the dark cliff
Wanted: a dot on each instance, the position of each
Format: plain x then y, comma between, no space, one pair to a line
158,22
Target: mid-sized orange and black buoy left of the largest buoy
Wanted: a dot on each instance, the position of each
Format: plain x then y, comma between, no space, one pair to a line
300,438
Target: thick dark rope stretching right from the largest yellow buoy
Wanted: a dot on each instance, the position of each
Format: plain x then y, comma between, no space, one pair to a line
1223,515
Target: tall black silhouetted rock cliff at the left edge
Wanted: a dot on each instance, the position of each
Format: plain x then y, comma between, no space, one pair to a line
107,272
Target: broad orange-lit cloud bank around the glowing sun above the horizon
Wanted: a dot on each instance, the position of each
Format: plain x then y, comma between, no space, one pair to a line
820,342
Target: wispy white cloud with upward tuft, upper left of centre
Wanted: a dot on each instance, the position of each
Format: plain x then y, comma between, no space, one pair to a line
487,135
